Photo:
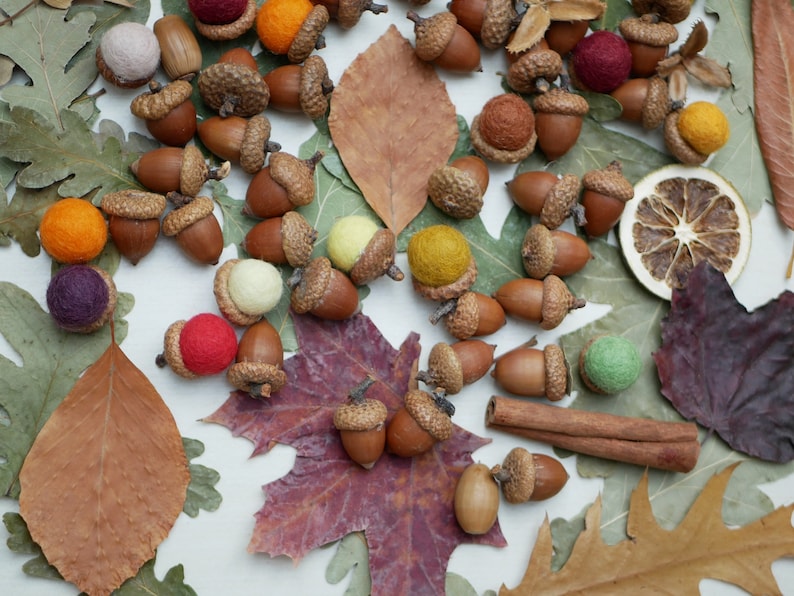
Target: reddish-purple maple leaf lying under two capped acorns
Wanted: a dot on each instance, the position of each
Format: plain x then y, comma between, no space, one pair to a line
402,505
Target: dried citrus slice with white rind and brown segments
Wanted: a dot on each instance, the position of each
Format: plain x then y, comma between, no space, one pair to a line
682,215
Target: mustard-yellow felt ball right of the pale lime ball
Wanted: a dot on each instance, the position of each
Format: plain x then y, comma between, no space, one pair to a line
438,255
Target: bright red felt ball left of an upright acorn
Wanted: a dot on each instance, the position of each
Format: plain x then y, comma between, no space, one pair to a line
208,344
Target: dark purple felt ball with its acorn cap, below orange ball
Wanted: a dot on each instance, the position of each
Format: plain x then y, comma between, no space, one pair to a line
78,297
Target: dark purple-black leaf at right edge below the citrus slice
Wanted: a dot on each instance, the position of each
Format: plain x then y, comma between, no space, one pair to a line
729,369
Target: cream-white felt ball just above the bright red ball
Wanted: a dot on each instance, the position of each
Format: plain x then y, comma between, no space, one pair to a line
255,286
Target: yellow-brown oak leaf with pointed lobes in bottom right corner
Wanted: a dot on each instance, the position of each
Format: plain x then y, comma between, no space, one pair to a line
657,560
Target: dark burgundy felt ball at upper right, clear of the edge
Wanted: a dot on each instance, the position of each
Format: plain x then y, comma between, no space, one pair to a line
601,61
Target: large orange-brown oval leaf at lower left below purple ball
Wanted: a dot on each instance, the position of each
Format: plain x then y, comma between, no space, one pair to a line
106,477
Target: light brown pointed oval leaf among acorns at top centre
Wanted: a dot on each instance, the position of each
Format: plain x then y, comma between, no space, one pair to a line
393,124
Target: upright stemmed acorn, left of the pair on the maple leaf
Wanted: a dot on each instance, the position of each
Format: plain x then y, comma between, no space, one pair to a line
361,423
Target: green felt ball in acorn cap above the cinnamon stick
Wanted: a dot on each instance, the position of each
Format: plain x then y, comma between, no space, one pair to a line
610,363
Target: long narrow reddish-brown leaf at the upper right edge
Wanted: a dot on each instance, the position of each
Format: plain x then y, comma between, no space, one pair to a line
773,80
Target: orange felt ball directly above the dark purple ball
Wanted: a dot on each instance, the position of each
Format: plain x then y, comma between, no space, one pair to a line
73,231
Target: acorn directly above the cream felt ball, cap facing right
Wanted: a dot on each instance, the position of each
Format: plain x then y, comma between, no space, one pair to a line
285,240
